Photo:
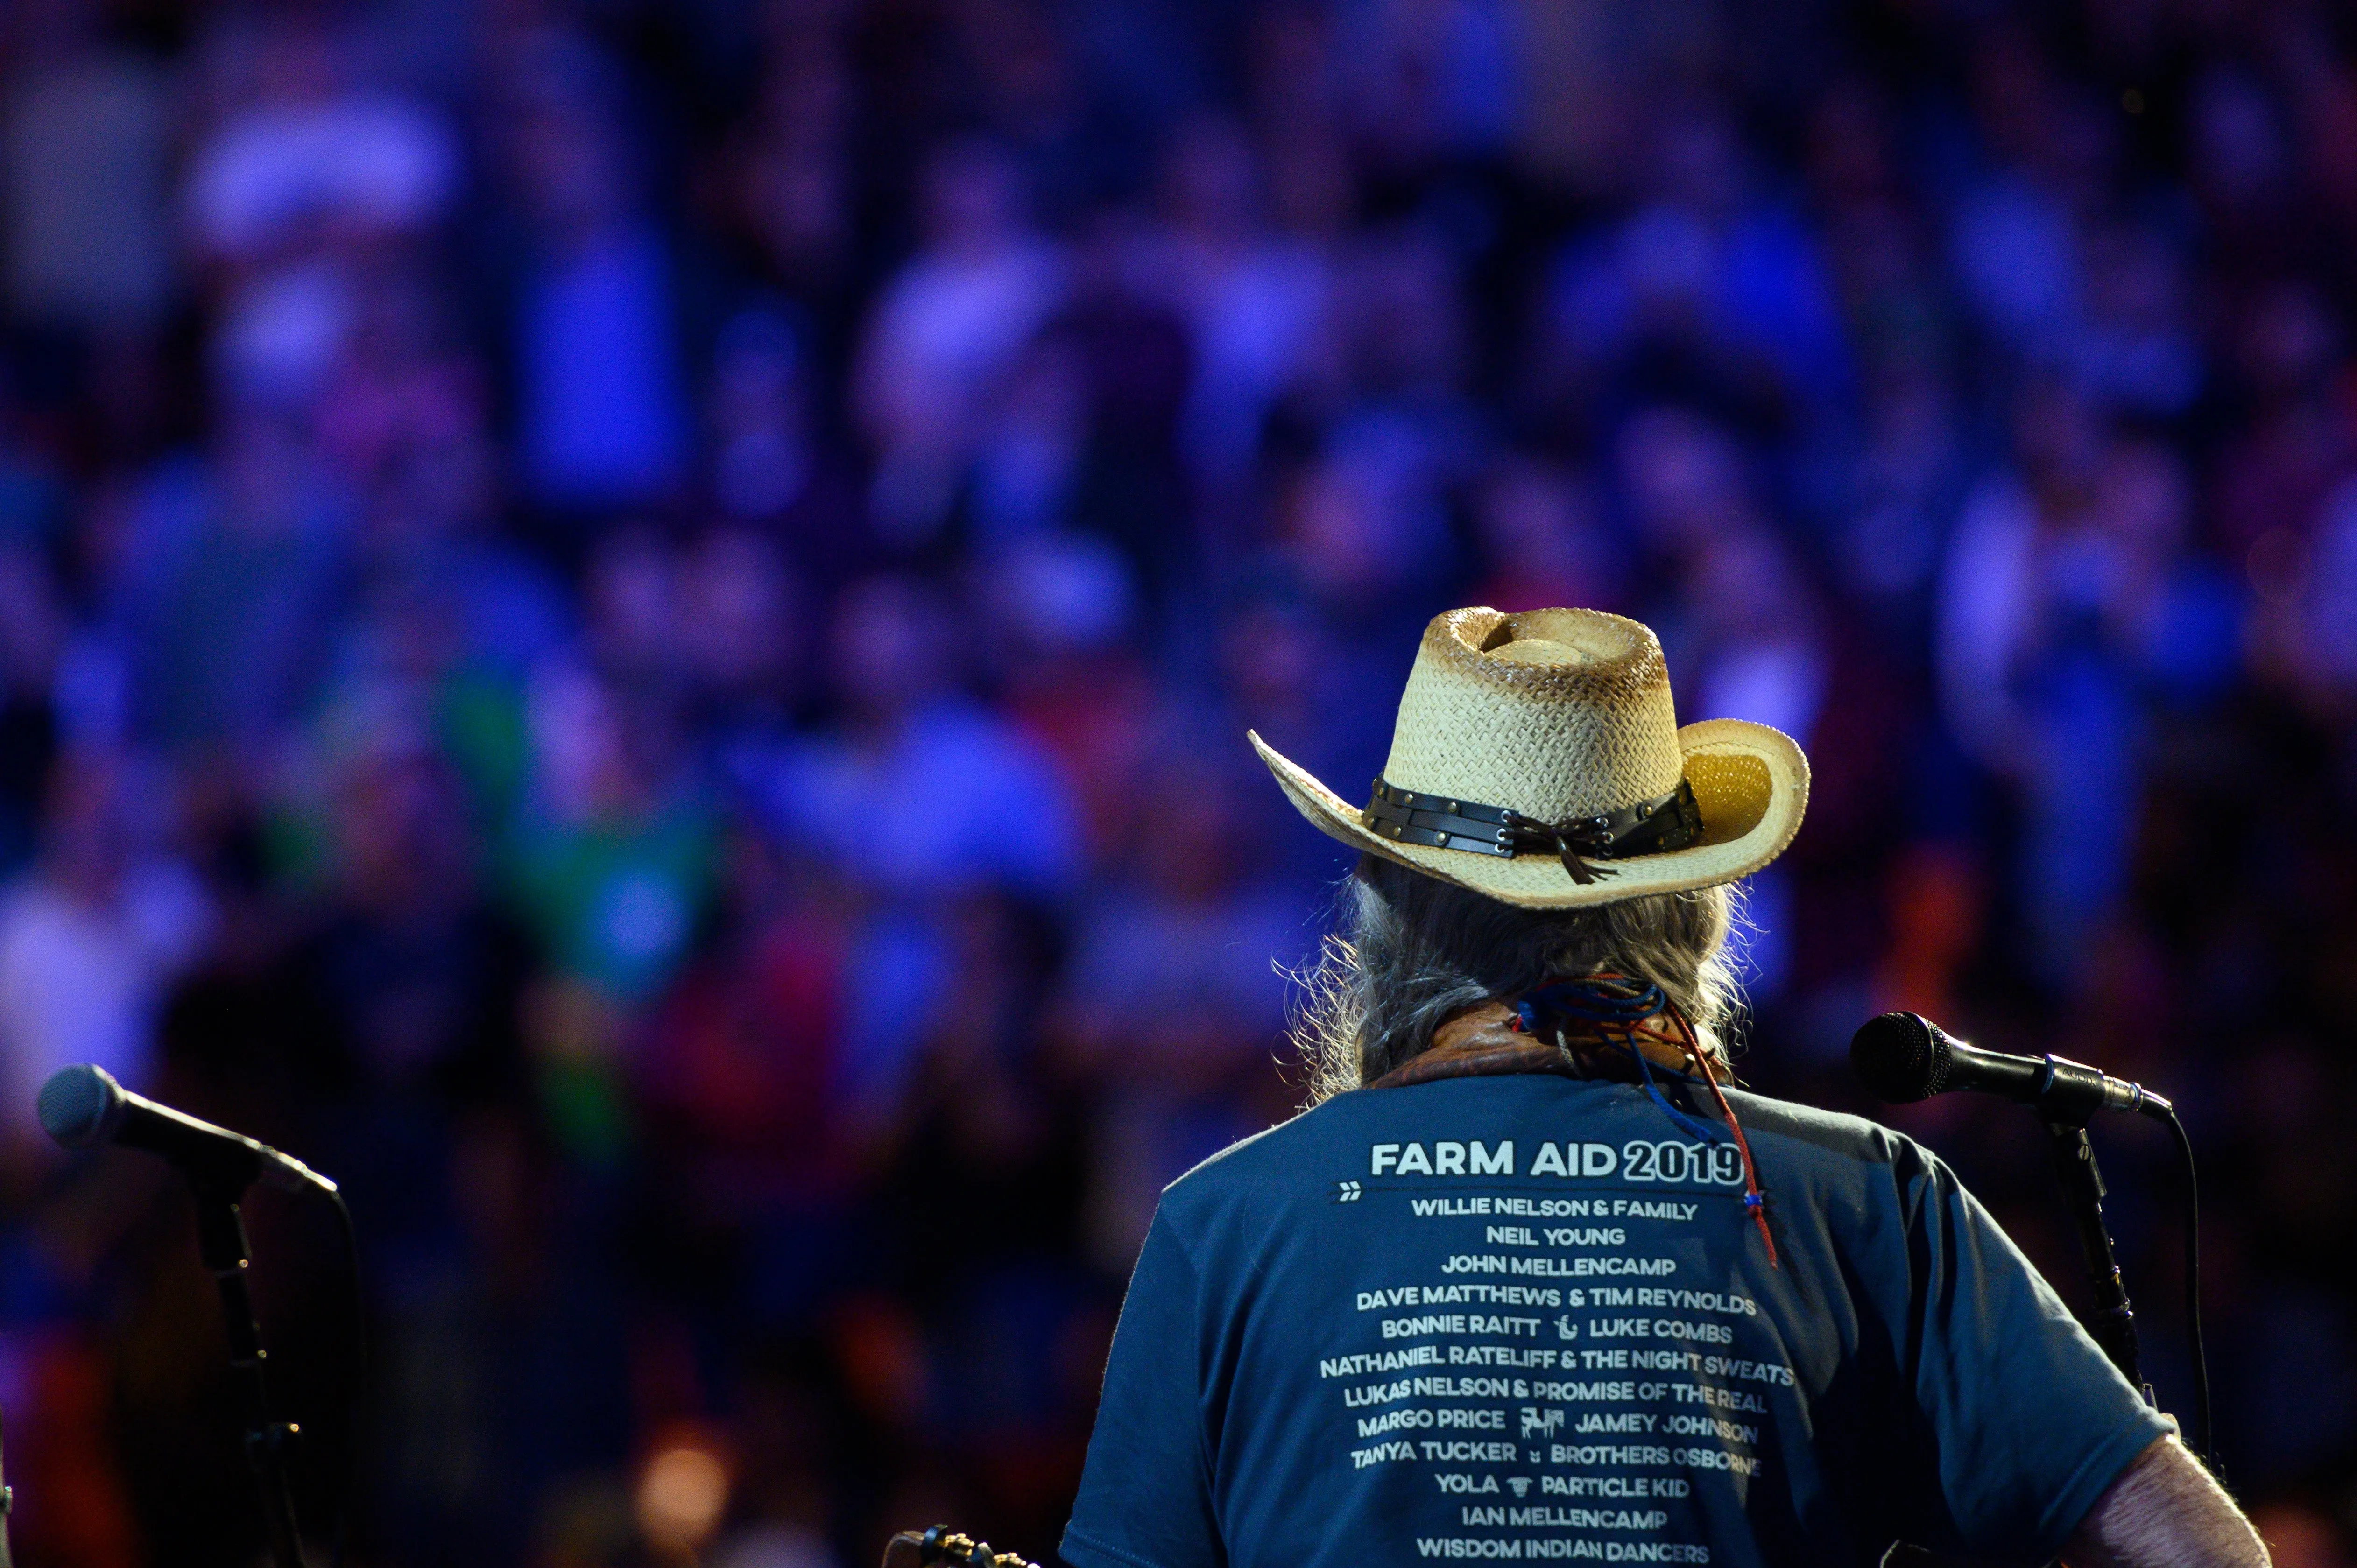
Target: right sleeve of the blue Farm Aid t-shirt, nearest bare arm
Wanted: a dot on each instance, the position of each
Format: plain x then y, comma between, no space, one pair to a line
2026,1411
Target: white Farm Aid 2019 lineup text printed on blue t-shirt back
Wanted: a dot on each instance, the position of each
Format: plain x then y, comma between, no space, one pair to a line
1547,1371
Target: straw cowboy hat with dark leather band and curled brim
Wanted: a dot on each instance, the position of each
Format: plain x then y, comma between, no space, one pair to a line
1538,760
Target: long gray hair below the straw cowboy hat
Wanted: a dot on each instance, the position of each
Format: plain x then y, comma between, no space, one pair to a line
1420,951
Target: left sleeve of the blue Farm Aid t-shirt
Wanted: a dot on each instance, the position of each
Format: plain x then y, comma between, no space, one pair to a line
1147,1491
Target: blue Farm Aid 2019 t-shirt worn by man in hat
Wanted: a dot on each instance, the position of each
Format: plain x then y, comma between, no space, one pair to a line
1531,1319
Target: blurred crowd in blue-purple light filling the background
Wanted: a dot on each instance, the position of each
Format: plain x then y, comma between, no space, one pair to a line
630,628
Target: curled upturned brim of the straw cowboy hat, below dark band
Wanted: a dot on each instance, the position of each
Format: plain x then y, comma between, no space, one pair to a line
1750,782
